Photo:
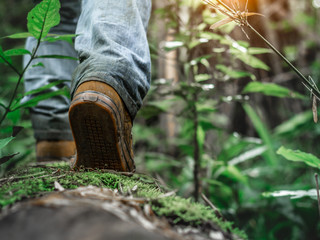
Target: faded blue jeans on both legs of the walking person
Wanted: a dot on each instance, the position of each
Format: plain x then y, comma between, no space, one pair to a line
112,47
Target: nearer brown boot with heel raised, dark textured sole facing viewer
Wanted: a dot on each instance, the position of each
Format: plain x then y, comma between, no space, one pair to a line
101,127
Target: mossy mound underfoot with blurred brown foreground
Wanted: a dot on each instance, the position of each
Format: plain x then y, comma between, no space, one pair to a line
50,201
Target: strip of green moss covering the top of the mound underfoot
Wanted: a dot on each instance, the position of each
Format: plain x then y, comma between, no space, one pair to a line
32,182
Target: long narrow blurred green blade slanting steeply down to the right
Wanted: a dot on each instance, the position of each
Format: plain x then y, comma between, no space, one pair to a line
263,133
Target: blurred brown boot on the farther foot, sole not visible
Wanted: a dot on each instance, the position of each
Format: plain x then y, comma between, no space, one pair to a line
55,150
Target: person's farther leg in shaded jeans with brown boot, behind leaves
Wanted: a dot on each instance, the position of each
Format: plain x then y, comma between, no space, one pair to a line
50,117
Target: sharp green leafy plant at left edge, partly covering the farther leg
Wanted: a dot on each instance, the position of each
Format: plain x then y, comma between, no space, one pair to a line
40,20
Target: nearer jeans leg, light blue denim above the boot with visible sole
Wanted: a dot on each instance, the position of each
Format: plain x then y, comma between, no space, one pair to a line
113,48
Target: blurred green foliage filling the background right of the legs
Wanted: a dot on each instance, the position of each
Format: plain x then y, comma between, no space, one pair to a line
241,173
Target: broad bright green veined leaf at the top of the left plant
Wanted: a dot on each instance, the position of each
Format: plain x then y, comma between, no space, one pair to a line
43,17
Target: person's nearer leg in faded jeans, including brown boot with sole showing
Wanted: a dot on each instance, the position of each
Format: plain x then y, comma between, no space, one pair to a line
111,81
